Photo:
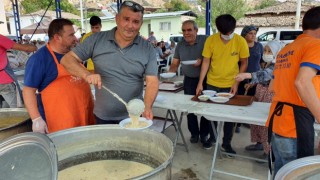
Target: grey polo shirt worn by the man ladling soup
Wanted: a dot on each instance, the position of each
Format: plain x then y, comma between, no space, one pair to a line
122,70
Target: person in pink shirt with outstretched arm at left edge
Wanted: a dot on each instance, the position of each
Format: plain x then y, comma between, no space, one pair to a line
8,82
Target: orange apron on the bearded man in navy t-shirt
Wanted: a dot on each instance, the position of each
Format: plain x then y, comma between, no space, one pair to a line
67,101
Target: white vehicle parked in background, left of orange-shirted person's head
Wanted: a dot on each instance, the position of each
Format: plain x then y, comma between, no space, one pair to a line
283,35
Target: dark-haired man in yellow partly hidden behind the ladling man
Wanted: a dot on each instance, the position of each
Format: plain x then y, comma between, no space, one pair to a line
96,26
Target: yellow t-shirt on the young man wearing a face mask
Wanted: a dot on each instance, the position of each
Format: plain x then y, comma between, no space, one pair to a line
224,59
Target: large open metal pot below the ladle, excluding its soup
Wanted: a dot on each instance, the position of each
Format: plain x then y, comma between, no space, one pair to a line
101,142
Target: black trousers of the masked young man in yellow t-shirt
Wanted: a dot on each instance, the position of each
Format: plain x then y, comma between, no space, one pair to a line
228,126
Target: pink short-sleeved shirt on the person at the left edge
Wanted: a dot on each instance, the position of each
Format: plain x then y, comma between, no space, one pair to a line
5,44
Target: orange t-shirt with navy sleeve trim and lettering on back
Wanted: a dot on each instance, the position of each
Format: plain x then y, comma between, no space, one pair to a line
304,51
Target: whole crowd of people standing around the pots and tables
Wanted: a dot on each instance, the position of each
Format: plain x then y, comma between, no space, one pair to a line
57,90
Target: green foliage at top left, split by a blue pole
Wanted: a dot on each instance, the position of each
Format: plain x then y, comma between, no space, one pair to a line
30,6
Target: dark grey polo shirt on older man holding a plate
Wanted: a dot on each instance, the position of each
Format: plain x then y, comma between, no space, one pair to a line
187,52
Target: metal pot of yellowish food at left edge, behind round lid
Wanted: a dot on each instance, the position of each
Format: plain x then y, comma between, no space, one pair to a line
17,121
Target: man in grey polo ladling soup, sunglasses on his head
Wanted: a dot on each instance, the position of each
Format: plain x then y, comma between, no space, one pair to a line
121,59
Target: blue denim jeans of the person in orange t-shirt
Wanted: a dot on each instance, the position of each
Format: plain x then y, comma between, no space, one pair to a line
284,150
